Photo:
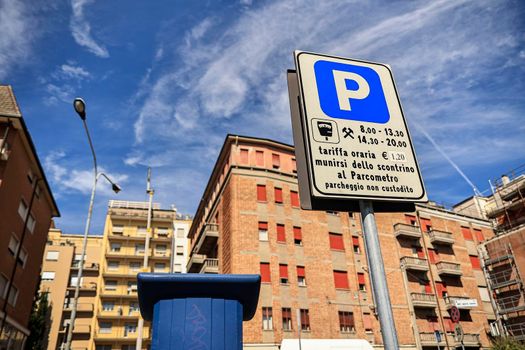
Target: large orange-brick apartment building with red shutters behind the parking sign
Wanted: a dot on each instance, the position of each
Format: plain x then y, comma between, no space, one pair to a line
313,265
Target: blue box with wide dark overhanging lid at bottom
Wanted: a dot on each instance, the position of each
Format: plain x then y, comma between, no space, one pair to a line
197,311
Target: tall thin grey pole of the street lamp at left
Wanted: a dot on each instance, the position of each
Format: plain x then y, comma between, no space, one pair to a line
84,242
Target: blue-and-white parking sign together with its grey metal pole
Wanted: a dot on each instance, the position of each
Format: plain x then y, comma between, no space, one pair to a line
354,152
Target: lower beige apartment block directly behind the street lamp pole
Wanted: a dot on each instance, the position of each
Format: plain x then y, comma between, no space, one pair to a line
59,278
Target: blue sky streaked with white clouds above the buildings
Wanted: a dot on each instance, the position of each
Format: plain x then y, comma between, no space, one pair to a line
165,81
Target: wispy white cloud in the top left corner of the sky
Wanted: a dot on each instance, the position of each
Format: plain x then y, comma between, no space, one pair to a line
16,34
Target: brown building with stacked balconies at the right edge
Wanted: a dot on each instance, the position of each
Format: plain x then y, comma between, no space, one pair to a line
503,256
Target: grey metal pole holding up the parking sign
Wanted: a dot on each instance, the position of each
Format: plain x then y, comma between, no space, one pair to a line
377,276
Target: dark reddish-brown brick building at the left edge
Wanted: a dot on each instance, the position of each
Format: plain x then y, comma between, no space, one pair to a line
26,208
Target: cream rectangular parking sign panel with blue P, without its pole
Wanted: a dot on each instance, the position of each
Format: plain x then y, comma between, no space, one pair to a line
356,140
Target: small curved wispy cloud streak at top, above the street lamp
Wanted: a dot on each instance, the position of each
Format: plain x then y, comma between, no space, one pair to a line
81,29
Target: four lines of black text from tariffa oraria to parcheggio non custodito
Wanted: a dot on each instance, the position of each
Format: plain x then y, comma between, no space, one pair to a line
356,168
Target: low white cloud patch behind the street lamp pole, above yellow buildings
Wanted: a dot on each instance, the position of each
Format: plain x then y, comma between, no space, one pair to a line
68,180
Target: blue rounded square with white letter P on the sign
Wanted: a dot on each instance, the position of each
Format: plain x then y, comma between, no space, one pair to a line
350,92
